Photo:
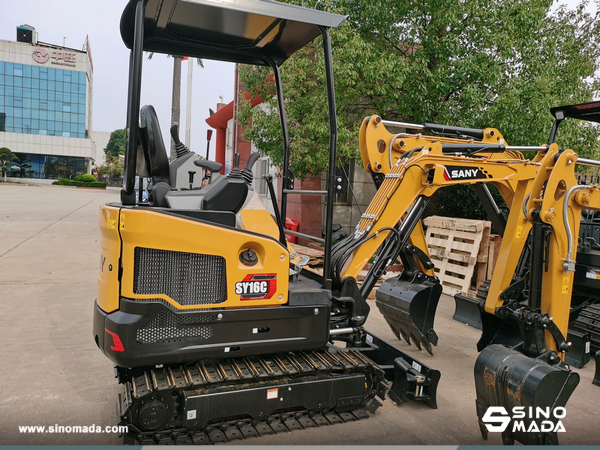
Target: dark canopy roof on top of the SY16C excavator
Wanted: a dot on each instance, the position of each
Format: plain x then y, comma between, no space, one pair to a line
241,31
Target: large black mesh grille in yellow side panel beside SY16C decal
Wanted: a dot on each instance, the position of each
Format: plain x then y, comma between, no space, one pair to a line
188,278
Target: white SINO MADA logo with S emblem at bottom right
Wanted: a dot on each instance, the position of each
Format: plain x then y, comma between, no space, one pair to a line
530,420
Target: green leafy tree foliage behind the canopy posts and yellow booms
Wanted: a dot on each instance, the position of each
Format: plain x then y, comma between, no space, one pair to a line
493,63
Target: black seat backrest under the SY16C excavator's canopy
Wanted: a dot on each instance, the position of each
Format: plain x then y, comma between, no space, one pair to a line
157,161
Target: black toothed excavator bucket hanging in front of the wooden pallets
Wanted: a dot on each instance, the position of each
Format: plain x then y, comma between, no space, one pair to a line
409,309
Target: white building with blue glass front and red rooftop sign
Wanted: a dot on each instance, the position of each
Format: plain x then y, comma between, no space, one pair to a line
46,102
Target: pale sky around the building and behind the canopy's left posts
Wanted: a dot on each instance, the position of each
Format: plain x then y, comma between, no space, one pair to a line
99,19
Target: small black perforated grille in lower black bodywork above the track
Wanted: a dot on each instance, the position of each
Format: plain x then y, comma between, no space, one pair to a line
170,327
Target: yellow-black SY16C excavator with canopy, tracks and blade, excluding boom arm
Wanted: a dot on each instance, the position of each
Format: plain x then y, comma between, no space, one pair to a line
215,330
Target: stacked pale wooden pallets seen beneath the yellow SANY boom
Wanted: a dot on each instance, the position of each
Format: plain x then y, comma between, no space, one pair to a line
459,250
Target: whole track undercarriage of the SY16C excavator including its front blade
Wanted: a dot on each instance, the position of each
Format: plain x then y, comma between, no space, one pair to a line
212,401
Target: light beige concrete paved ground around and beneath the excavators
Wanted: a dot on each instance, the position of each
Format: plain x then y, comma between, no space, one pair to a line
52,373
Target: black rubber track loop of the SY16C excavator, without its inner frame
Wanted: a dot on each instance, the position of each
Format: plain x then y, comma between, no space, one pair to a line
271,368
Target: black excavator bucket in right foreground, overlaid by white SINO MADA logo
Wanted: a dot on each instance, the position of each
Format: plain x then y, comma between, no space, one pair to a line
507,378
